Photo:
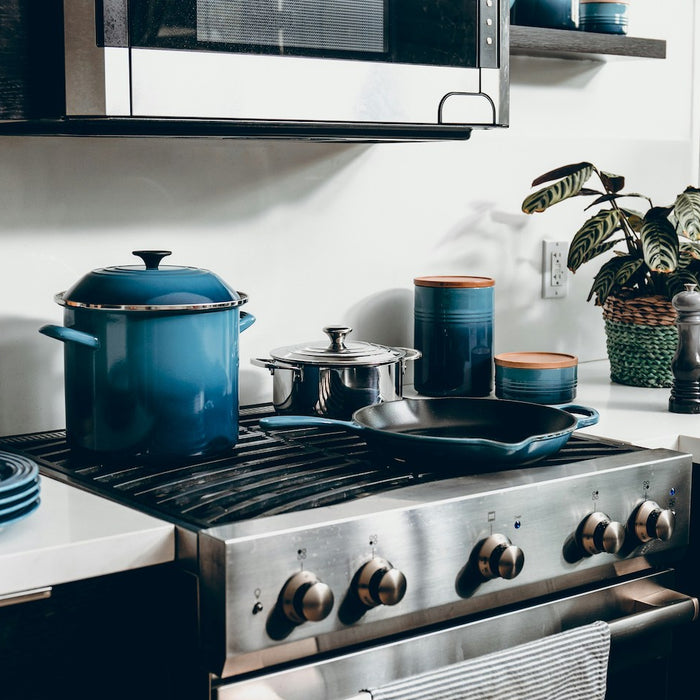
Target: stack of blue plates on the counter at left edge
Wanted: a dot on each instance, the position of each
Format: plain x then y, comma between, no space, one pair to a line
19,487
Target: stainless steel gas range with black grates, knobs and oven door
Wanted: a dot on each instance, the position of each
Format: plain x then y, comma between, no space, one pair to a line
325,569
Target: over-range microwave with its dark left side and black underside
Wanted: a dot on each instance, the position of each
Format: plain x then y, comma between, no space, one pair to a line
348,69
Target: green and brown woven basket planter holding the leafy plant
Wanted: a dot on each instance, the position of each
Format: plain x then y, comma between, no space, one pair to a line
642,338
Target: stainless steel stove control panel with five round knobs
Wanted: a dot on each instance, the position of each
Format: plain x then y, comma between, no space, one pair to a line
418,556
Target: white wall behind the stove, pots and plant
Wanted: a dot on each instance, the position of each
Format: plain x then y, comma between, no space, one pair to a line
327,233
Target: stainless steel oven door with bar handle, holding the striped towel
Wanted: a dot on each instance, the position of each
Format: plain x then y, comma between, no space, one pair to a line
642,615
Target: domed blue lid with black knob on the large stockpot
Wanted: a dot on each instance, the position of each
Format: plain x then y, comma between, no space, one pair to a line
151,287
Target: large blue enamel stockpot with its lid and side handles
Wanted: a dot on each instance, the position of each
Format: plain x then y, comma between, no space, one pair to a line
151,360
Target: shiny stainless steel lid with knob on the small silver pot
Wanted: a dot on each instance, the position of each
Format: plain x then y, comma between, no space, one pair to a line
339,351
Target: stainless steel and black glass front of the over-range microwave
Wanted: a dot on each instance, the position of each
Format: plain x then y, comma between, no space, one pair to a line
382,62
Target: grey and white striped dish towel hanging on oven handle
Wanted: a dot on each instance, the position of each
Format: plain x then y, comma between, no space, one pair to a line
571,665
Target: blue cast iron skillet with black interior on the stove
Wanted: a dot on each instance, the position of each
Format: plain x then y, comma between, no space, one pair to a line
461,432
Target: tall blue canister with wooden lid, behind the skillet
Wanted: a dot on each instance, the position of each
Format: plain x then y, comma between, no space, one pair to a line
453,329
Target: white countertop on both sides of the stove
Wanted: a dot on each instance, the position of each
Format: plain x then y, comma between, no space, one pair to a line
75,535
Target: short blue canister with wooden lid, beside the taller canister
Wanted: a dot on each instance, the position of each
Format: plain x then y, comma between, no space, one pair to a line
537,377
